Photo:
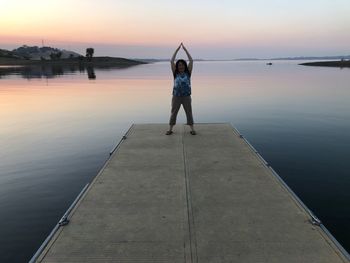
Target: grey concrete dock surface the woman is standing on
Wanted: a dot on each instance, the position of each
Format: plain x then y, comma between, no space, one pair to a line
188,198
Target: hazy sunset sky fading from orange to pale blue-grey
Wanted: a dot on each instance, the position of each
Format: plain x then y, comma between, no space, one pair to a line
220,29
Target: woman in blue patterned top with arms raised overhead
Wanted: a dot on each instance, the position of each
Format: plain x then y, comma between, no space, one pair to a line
181,89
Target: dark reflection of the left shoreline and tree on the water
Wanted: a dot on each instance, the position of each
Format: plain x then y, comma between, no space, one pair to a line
53,71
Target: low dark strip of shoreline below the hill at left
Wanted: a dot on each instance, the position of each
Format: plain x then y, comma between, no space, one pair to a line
95,62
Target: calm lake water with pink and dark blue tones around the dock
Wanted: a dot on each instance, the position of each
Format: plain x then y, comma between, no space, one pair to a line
57,127
